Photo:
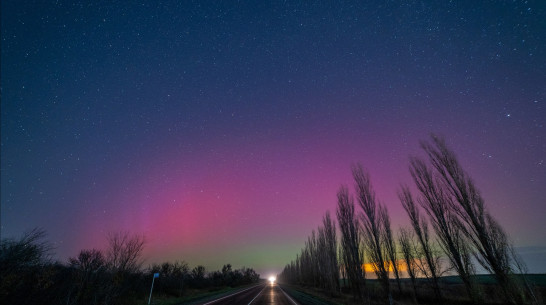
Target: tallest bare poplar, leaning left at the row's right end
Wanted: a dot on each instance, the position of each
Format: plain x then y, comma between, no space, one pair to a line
486,235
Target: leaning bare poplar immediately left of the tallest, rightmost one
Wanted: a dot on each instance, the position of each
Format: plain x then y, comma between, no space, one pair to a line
438,204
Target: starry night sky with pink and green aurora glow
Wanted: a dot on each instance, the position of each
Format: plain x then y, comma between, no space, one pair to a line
221,130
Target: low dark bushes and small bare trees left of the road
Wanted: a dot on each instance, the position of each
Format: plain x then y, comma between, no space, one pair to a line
29,275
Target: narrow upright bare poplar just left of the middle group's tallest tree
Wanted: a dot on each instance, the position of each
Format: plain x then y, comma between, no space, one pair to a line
350,241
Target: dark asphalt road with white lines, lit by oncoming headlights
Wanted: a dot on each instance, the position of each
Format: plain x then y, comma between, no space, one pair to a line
259,295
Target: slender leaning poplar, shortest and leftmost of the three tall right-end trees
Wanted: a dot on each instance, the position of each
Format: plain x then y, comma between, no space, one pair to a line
420,227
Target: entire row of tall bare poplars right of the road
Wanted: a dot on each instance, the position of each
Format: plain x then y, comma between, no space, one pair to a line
451,230
